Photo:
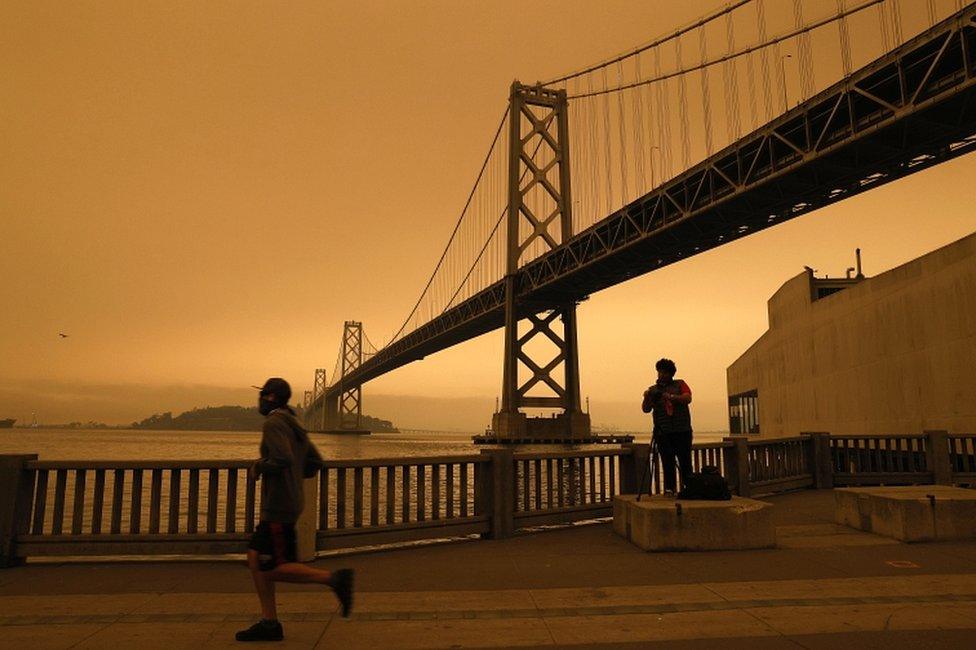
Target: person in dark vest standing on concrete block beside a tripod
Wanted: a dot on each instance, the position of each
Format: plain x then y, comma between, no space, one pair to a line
669,399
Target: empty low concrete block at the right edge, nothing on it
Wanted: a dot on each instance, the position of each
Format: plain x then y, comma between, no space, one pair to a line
918,513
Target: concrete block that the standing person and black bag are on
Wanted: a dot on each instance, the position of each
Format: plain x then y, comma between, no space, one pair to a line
658,523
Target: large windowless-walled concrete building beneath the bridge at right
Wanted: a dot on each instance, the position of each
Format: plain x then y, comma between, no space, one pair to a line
895,353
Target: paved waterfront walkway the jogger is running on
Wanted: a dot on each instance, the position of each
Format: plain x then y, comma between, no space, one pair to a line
825,587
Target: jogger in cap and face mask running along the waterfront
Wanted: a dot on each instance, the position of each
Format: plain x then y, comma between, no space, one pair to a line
287,457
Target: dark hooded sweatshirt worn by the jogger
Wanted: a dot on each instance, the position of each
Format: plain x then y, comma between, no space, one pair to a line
287,457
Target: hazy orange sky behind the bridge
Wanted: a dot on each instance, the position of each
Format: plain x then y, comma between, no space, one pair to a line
200,193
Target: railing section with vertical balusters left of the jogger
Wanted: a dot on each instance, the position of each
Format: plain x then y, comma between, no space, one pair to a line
145,507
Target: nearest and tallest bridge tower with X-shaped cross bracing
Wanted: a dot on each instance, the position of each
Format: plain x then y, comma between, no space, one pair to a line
539,219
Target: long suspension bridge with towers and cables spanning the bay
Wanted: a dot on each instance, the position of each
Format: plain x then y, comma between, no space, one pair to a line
752,115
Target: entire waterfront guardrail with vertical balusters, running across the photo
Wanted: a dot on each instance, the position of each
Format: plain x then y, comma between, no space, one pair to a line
112,508
